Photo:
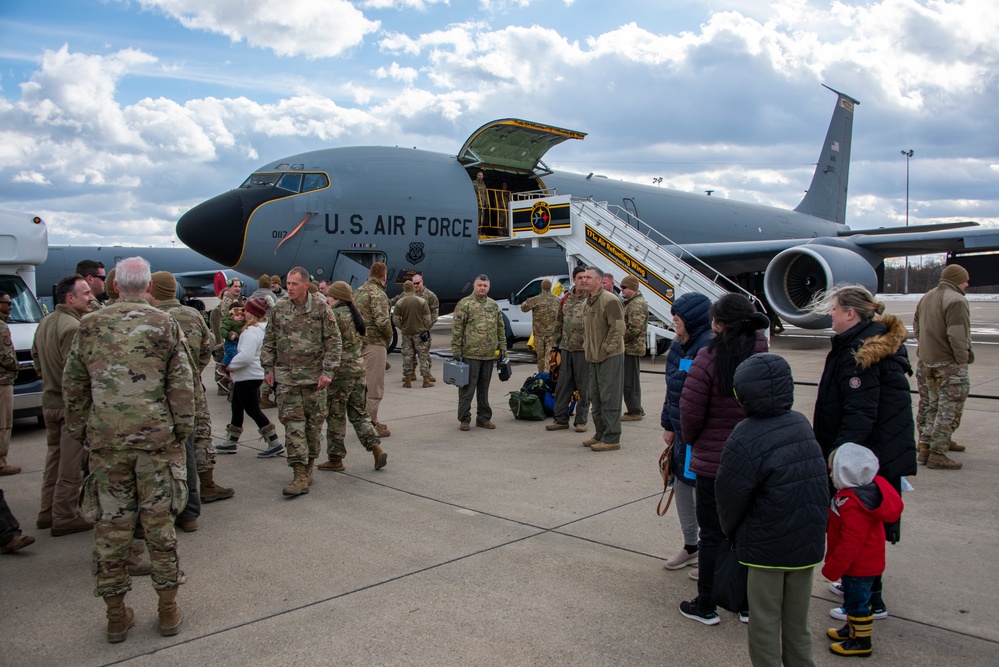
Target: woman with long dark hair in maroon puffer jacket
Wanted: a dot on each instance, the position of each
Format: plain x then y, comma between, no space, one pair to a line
708,413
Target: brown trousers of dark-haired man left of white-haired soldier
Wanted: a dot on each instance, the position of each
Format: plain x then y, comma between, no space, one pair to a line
63,474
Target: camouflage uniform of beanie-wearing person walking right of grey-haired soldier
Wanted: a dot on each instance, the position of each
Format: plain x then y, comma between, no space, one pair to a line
347,392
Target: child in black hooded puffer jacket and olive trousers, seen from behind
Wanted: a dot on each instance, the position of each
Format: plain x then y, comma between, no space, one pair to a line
772,499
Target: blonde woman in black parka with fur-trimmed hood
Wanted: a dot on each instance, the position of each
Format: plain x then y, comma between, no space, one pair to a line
864,395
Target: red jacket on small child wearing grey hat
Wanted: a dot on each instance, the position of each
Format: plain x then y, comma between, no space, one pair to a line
855,538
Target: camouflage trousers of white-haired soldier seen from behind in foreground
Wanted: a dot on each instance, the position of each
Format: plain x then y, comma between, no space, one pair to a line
126,485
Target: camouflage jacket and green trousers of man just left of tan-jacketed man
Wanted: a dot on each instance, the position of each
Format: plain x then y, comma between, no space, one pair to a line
574,371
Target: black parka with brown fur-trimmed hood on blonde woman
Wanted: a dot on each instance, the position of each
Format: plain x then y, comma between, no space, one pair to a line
864,396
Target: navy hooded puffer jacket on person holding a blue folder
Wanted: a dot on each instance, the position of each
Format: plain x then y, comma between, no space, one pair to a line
692,308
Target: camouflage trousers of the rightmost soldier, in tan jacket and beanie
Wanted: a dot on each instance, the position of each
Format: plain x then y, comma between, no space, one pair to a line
943,389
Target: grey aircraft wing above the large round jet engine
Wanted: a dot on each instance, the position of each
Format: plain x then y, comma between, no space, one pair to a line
739,257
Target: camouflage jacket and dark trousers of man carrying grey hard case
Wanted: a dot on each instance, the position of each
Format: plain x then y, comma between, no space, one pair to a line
476,335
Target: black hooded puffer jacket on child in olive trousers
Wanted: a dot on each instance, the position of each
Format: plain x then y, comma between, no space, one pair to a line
772,488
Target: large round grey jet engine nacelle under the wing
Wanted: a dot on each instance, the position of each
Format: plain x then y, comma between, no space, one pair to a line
796,275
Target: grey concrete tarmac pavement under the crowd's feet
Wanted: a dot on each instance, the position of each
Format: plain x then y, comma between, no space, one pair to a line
513,546
